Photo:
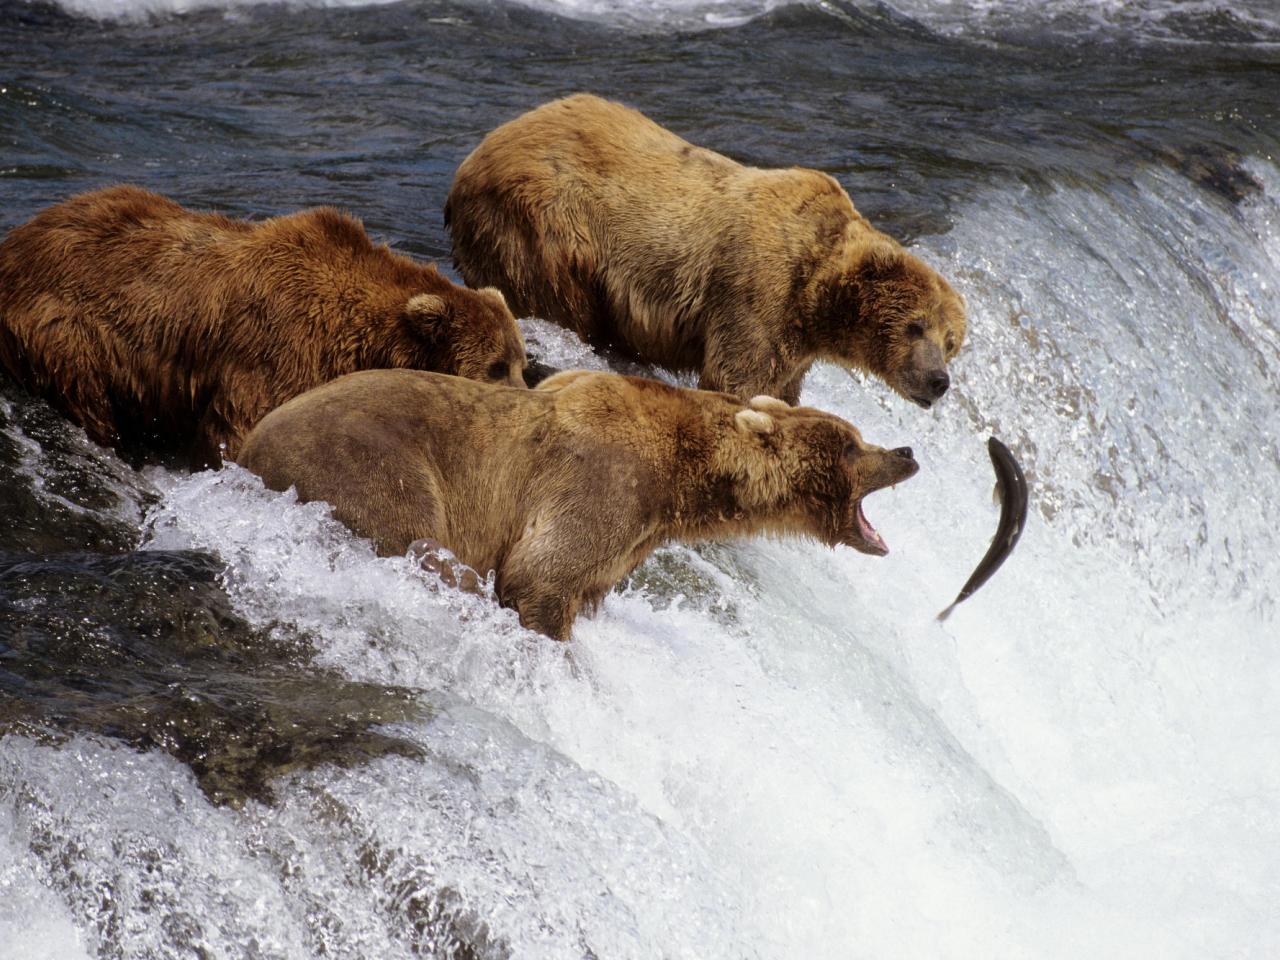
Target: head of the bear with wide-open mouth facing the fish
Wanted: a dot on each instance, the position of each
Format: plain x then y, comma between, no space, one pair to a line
825,470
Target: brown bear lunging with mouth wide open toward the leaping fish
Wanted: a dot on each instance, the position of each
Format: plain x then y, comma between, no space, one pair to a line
565,490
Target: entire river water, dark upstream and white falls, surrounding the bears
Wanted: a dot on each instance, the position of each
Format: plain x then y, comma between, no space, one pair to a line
228,729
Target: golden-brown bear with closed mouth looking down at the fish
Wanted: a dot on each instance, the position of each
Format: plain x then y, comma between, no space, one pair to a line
588,214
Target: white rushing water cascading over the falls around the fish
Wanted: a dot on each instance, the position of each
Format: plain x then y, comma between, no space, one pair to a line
774,749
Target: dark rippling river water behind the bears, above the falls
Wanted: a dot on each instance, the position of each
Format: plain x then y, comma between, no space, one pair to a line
268,109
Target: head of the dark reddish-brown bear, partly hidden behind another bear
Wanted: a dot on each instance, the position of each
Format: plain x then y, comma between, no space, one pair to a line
469,333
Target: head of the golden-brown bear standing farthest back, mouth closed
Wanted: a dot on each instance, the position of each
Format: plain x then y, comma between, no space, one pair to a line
886,312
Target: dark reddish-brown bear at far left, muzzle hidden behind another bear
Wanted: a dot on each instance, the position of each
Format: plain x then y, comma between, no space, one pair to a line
157,327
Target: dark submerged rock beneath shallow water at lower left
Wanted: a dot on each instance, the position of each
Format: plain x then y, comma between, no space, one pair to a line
147,650
